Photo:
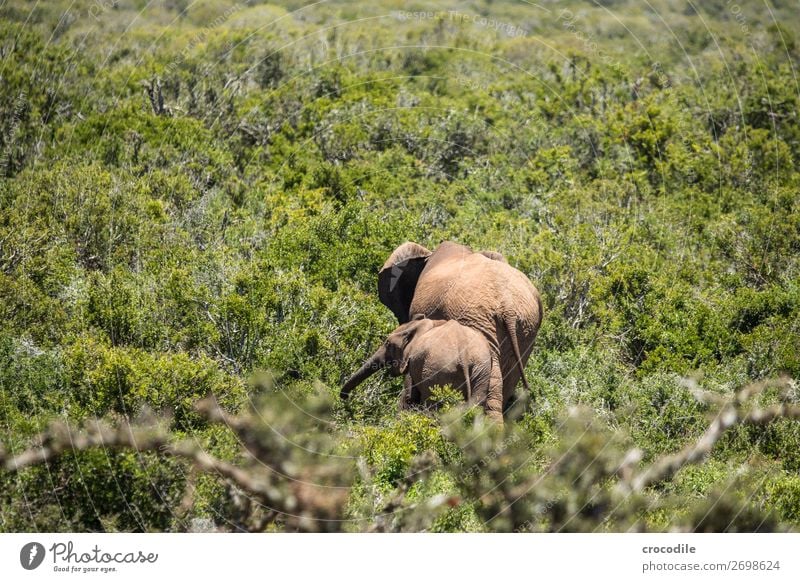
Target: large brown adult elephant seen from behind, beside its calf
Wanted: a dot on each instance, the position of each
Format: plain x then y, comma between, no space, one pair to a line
477,289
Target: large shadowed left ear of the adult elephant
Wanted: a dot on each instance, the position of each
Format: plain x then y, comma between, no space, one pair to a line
398,278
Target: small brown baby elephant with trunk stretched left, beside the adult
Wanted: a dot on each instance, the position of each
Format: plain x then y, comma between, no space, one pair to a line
436,352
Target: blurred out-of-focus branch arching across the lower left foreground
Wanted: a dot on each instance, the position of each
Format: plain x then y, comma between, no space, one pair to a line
305,496
